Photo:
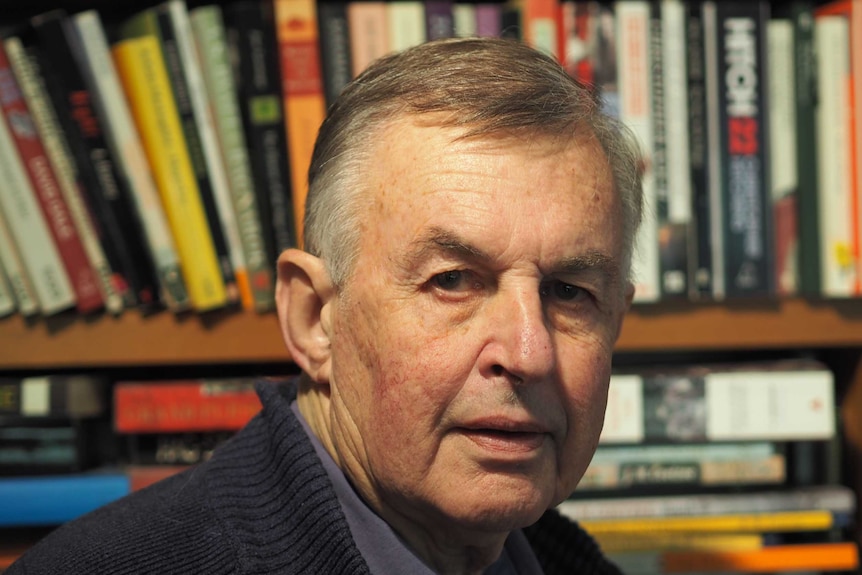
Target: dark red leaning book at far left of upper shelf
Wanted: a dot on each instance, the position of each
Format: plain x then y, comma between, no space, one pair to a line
63,231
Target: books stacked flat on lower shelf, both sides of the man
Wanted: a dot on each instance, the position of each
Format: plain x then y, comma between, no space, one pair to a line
740,457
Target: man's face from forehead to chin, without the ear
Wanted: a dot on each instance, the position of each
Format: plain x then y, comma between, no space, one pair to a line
471,347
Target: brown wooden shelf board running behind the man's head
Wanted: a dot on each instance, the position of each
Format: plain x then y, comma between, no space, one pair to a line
238,337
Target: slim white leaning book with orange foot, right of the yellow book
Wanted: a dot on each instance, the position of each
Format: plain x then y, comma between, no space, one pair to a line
205,124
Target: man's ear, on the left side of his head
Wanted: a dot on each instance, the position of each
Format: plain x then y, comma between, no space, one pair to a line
303,296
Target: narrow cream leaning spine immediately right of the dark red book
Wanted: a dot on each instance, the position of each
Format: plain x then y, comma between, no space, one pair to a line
62,163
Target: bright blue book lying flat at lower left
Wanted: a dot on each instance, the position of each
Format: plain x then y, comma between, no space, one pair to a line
34,501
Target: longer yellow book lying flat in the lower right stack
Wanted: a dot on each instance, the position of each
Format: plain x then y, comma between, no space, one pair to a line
814,520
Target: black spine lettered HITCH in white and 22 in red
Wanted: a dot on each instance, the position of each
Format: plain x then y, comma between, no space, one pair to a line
742,107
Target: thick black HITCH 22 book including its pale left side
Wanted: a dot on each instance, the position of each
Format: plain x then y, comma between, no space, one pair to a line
736,83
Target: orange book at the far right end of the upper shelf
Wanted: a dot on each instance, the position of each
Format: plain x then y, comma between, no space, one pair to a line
852,10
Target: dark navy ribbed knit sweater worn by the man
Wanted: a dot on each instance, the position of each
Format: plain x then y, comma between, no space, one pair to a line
262,504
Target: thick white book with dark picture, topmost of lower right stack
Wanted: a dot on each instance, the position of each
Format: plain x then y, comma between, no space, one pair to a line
779,401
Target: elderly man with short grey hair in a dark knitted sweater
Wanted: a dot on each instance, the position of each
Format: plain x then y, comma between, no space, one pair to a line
469,232
